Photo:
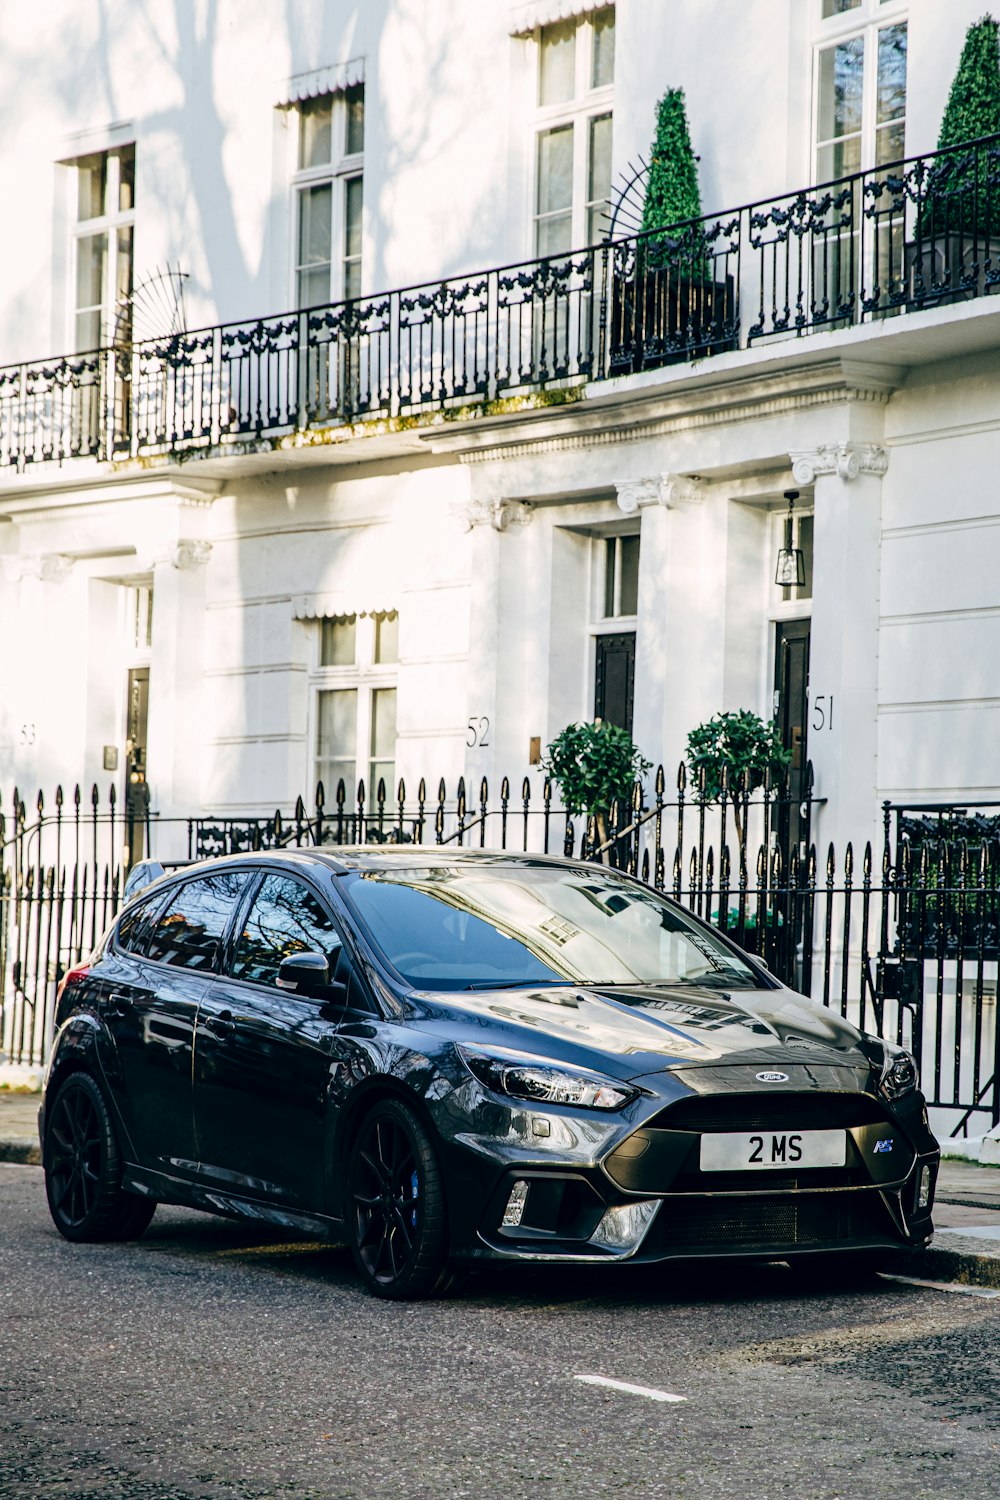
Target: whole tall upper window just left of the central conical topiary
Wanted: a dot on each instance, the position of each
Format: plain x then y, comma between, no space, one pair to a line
573,133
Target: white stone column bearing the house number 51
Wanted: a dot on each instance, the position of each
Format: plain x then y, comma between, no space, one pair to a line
843,713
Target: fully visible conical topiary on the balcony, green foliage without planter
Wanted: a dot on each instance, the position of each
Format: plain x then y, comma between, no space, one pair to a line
672,190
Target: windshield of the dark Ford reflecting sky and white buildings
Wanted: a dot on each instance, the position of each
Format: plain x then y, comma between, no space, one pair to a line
470,926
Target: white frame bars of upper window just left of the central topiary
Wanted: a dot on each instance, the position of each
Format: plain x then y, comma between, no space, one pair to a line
588,104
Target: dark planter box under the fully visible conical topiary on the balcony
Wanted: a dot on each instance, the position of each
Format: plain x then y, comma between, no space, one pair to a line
659,317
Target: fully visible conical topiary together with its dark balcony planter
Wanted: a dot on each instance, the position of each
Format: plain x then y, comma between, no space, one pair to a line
666,302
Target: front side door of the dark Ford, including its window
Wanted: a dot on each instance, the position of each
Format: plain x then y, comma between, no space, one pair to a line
263,1055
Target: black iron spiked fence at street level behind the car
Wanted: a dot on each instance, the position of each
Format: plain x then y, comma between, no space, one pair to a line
900,935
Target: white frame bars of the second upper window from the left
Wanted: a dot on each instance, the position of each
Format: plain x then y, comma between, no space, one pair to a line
343,170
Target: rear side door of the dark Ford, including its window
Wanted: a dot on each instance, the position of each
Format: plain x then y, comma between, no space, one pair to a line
154,983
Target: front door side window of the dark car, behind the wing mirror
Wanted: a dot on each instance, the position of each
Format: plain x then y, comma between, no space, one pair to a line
286,919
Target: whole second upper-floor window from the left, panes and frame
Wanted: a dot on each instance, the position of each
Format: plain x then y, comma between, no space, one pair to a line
329,197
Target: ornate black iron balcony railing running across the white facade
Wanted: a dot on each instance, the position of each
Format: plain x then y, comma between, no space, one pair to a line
914,235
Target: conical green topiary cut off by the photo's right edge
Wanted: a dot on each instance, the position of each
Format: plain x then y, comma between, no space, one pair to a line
959,197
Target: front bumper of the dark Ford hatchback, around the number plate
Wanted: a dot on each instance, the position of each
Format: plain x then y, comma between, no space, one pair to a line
642,1195
